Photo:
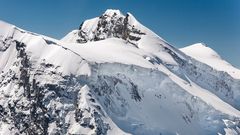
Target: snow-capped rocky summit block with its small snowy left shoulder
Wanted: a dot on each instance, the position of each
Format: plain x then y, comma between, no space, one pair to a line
111,24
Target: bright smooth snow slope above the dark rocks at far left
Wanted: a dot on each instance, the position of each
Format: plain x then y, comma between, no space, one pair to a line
40,49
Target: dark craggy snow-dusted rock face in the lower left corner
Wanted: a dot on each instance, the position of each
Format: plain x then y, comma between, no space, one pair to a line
49,108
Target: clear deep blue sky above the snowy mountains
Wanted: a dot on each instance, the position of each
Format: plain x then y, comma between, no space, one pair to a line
180,22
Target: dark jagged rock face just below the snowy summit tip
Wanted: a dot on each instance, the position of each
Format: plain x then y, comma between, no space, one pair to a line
110,25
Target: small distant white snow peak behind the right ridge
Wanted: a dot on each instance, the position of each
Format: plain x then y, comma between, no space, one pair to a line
208,56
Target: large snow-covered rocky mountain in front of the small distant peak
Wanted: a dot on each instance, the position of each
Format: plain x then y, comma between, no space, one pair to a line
112,76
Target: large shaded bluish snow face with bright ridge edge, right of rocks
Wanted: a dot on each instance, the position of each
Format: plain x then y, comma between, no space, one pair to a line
143,101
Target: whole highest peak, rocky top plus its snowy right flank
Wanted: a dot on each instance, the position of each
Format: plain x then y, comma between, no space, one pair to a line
113,24
